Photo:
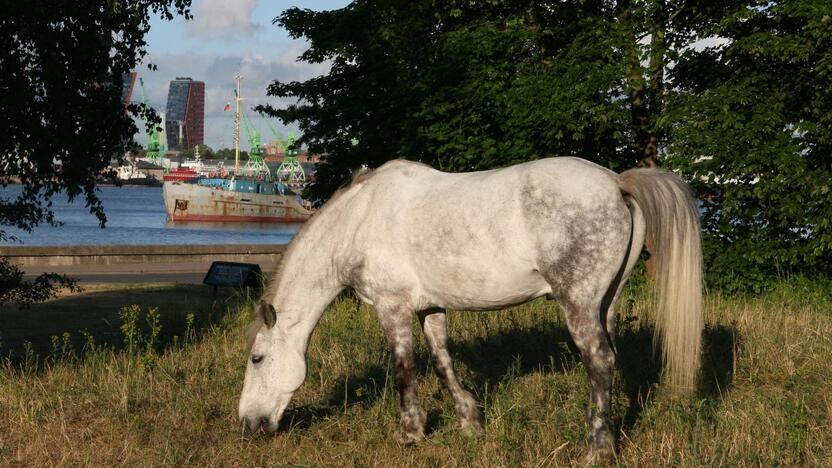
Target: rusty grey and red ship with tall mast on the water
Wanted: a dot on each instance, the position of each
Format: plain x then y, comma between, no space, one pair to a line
247,194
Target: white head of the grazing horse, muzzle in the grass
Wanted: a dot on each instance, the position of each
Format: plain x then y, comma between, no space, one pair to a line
273,373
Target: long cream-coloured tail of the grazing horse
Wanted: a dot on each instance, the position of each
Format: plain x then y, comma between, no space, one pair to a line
673,238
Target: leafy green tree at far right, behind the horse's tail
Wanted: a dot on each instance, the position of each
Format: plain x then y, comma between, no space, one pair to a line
752,128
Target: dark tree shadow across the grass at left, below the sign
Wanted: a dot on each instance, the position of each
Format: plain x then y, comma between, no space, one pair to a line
27,335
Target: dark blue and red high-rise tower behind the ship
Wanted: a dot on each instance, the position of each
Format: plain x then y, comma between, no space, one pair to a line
185,116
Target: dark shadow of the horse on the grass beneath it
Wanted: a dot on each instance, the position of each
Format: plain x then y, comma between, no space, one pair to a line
513,353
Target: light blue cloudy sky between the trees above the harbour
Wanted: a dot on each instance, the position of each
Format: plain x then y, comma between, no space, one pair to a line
224,37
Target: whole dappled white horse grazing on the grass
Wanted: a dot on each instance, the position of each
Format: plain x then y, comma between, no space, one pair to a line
413,240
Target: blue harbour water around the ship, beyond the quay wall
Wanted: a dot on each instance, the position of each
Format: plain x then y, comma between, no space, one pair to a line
136,216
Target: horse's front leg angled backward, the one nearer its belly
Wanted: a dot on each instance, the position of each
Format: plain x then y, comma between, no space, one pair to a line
434,325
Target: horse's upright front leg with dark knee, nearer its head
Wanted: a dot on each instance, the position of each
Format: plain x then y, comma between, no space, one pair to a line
396,323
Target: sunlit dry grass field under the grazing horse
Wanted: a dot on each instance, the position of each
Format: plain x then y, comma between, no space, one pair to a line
165,398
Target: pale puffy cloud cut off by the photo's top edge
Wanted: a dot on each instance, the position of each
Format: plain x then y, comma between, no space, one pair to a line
223,18
